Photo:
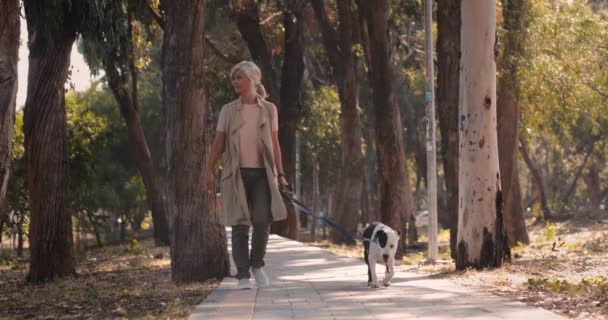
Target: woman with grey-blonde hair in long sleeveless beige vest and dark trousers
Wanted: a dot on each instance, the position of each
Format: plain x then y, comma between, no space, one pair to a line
247,136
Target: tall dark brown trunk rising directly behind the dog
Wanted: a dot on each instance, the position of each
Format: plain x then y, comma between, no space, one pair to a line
394,192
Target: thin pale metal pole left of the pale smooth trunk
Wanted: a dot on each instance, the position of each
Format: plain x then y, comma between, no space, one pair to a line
430,132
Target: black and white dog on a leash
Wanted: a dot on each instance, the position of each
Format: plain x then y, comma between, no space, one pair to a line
381,247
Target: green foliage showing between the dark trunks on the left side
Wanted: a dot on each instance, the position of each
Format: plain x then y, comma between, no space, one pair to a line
104,181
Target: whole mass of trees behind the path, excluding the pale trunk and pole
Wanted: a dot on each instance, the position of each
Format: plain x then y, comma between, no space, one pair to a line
347,75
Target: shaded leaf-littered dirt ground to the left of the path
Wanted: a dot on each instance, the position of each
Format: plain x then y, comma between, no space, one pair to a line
128,281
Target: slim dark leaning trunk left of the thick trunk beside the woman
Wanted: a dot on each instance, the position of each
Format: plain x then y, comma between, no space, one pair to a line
143,158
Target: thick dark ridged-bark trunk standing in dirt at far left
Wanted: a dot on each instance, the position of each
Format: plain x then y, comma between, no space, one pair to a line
46,155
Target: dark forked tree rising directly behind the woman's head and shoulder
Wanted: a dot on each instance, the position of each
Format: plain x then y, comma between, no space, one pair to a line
287,95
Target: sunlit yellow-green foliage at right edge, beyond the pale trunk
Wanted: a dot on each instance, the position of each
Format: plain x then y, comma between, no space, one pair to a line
564,91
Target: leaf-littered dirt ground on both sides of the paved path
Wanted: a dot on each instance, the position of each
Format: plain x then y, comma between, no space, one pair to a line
564,269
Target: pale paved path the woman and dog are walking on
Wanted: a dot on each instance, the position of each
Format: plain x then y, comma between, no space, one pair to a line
311,283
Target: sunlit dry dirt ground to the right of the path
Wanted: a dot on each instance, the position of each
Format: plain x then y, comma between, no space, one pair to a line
563,269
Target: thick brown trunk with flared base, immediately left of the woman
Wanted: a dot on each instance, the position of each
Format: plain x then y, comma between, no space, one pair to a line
198,248
